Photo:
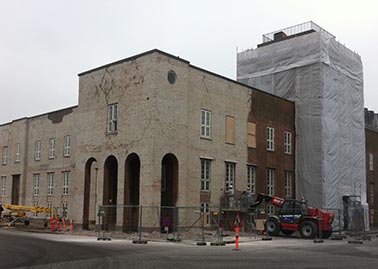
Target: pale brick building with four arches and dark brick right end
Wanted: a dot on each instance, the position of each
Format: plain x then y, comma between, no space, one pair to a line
149,130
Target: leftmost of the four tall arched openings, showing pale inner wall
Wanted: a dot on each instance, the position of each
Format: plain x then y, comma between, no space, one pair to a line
90,175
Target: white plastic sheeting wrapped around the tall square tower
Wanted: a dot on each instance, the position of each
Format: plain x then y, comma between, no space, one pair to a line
325,80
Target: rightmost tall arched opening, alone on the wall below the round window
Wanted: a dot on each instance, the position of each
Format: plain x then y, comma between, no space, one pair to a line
169,190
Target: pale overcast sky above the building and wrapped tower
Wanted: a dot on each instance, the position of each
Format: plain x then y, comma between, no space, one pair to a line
44,44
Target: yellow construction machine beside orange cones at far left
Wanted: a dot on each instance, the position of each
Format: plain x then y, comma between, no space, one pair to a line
17,213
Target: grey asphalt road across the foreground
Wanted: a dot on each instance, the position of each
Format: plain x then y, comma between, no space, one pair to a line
36,250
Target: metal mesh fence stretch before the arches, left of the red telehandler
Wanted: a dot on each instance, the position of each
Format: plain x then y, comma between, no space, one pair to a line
173,223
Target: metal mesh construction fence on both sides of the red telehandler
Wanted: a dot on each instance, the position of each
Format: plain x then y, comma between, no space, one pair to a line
201,223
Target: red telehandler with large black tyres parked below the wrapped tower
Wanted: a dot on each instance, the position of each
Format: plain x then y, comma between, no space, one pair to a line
295,215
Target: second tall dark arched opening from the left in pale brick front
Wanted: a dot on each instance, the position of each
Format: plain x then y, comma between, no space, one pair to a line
110,191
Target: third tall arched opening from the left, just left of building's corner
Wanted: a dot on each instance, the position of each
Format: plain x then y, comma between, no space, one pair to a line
131,198
